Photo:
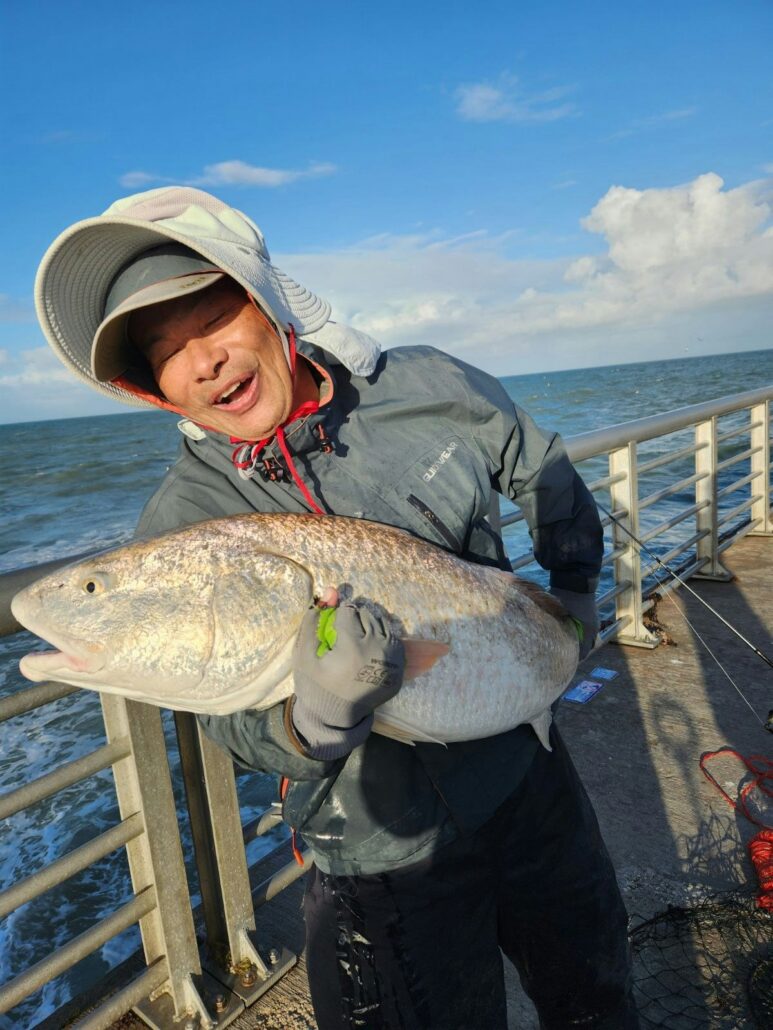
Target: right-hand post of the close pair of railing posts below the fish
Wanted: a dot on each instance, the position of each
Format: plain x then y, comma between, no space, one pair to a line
221,859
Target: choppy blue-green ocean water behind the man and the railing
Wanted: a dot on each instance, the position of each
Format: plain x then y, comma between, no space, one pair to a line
79,485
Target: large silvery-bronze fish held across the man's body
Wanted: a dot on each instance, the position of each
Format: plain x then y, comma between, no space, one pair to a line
205,620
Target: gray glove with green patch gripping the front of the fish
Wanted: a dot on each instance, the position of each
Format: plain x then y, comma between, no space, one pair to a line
347,663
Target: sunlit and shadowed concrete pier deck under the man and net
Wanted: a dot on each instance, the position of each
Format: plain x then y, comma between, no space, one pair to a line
637,745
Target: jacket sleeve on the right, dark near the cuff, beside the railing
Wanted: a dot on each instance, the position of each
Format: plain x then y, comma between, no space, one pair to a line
530,466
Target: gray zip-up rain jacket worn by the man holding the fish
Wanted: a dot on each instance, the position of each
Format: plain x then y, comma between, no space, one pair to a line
419,444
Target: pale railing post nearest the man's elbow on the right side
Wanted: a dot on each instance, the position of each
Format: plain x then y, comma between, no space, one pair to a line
624,495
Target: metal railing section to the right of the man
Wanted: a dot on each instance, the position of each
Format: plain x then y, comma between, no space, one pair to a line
627,600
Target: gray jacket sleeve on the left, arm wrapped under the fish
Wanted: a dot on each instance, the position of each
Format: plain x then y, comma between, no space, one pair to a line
257,740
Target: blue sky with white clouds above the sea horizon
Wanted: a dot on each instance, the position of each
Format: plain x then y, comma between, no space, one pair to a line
528,186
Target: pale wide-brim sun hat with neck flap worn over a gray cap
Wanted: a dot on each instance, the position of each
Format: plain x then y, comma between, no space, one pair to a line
79,269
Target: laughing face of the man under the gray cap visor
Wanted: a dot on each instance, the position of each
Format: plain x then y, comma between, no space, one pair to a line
216,359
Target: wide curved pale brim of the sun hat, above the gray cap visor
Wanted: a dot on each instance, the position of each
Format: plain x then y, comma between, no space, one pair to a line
77,271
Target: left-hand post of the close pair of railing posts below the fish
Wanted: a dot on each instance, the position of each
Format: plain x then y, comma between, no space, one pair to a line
144,784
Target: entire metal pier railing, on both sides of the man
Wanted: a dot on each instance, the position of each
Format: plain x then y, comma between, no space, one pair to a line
237,971
